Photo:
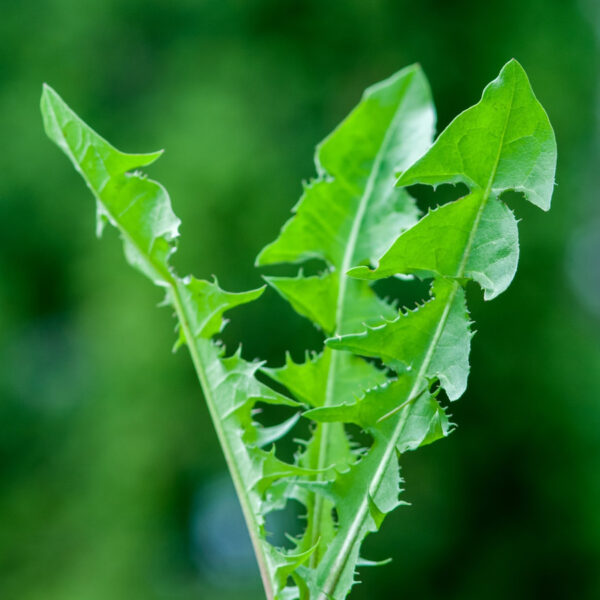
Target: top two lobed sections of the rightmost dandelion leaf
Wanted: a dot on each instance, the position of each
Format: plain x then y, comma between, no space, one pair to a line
505,142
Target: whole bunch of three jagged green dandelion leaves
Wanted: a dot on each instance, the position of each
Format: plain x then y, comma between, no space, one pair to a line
390,371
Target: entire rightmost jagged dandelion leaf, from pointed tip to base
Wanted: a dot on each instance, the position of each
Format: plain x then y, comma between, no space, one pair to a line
504,142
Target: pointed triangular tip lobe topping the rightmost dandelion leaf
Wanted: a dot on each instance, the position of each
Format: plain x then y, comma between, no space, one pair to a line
505,142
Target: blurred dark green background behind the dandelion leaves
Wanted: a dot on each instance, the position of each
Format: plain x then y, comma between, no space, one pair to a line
112,485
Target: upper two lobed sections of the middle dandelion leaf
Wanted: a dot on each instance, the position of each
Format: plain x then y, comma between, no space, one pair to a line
352,212
